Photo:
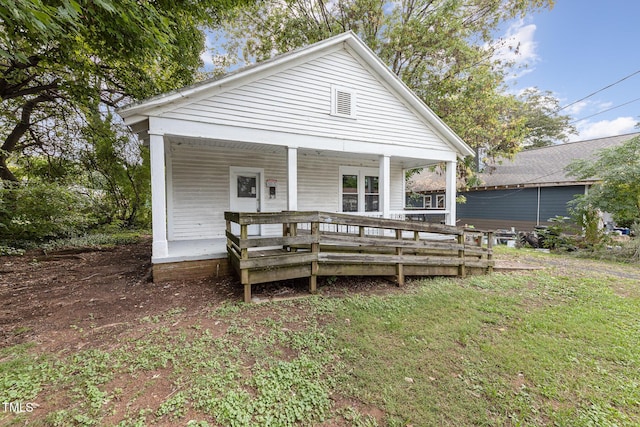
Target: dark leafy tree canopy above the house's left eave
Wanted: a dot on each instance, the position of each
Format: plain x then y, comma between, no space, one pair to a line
63,60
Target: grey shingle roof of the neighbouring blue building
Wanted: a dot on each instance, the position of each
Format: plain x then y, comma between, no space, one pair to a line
543,166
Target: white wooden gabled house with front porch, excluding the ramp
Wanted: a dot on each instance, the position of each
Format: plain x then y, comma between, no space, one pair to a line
327,127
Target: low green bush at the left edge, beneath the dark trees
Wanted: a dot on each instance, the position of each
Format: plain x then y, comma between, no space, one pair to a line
41,211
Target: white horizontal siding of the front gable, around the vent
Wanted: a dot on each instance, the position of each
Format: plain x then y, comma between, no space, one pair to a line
298,100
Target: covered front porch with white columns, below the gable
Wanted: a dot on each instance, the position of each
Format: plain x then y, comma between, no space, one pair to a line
287,179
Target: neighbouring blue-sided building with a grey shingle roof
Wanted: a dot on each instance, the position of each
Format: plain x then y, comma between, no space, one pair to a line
521,193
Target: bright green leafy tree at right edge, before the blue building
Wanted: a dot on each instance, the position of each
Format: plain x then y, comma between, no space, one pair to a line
618,189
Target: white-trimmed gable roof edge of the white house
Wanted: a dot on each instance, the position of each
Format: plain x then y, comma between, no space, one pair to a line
139,111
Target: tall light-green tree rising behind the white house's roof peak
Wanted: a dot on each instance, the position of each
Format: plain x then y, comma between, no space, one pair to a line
442,49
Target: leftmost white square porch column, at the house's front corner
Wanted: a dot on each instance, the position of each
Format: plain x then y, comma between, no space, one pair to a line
158,196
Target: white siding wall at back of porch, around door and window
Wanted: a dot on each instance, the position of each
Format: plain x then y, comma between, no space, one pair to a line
199,189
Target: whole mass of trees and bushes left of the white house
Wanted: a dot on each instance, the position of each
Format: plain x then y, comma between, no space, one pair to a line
64,66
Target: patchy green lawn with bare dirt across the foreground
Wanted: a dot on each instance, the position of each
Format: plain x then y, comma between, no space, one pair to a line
551,347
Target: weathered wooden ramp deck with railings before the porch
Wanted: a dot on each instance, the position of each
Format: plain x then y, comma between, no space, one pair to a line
316,244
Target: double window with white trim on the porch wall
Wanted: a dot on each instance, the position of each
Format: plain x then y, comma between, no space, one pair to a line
359,189
